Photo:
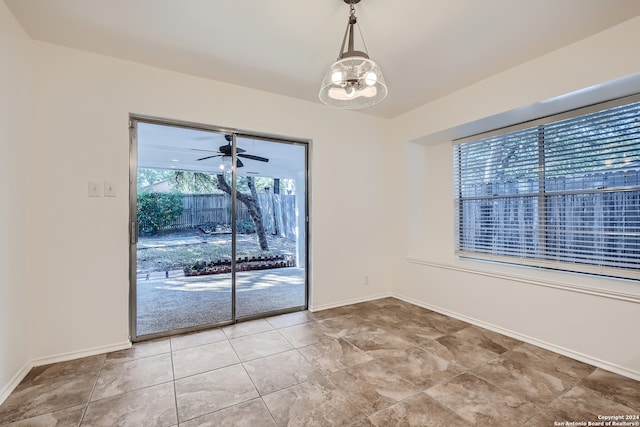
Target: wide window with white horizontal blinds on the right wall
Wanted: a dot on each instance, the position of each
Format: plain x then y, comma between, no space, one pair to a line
562,192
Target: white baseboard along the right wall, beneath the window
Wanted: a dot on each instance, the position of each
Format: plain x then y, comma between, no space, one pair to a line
607,366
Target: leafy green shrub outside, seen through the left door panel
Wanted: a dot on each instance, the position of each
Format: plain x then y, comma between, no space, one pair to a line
157,210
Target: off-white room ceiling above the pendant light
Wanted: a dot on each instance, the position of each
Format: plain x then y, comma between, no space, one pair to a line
426,48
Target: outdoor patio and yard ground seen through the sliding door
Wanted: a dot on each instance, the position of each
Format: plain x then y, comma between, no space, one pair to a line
167,300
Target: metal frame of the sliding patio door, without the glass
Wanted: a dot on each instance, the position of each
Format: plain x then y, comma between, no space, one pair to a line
134,119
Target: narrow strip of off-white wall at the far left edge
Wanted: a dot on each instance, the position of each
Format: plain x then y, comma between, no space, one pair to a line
15,173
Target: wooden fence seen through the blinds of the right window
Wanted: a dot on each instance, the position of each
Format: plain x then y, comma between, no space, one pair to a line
598,220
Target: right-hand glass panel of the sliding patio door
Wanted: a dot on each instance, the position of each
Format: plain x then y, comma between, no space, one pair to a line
270,224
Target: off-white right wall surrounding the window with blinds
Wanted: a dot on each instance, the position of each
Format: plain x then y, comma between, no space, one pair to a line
526,303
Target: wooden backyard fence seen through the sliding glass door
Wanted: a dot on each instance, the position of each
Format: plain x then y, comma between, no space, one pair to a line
278,212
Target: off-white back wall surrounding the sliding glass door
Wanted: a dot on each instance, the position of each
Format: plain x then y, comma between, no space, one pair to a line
81,105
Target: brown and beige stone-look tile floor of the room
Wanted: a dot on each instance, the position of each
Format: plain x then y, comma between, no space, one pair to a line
380,363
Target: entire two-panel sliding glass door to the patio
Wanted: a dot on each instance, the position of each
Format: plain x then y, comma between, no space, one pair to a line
218,227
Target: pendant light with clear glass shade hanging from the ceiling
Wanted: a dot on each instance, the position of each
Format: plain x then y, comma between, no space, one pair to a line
353,81
